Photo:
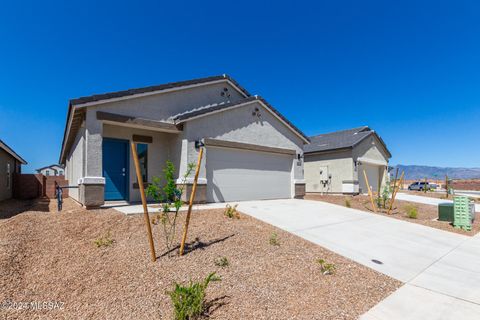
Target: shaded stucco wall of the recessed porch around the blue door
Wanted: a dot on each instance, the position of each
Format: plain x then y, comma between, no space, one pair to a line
159,151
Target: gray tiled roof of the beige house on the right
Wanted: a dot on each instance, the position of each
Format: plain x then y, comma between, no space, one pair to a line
343,139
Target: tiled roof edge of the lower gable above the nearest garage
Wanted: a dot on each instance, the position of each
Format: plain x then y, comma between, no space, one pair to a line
203,111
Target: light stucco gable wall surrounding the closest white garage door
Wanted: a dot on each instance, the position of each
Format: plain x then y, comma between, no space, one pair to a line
239,125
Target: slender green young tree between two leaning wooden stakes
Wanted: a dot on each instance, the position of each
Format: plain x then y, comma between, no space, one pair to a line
167,192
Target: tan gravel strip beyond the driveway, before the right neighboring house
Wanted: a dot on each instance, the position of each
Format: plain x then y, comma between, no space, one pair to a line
427,214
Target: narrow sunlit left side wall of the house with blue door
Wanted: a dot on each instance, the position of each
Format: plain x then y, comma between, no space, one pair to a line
75,164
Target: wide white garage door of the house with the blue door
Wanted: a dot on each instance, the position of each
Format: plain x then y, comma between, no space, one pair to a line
235,175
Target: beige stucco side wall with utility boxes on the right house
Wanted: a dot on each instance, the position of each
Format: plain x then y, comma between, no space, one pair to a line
340,166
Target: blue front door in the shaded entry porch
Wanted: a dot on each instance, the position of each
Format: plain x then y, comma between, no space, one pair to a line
115,168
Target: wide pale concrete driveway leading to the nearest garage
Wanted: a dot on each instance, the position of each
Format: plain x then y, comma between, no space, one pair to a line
440,269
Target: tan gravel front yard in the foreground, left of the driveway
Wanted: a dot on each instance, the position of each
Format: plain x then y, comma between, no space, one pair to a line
50,257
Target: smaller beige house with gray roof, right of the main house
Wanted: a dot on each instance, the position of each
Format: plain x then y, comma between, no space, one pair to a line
335,162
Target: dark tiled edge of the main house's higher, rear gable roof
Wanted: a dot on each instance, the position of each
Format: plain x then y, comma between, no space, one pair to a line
162,87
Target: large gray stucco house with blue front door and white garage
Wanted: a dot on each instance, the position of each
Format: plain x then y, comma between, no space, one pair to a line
252,151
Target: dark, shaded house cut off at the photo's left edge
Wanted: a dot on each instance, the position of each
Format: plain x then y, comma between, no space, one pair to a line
10,163
